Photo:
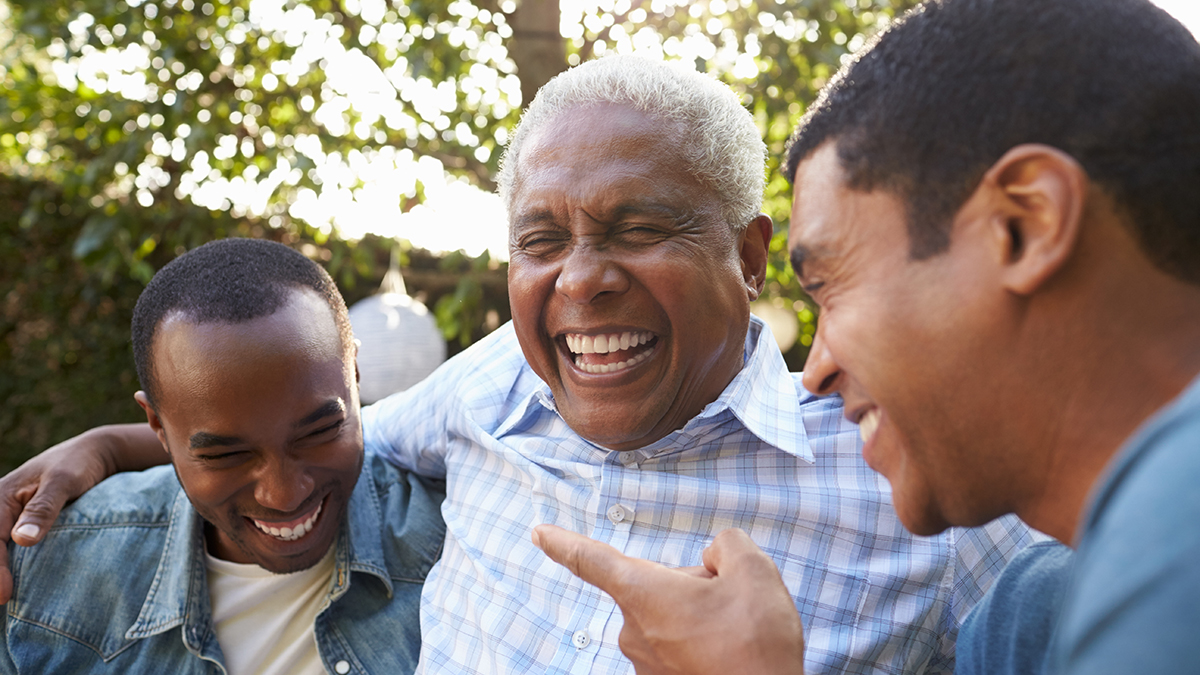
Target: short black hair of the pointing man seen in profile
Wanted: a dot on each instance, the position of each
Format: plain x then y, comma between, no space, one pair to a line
941,95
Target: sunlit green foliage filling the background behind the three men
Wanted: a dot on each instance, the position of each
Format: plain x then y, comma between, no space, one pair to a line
218,118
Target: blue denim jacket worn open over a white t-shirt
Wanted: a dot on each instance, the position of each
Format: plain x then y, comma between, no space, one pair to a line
119,584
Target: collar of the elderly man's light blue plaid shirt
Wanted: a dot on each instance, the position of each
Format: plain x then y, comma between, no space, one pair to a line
763,397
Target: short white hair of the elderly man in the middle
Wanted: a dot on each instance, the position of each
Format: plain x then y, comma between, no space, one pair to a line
719,141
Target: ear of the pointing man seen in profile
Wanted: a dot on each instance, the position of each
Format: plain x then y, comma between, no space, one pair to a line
1042,194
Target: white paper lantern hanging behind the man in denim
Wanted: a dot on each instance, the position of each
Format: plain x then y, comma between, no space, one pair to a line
399,341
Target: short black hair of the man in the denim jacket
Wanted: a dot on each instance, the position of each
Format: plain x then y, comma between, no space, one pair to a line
227,282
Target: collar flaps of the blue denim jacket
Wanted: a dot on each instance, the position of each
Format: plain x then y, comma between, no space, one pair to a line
181,586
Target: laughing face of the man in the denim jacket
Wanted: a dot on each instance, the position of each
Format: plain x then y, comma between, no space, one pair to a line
262,423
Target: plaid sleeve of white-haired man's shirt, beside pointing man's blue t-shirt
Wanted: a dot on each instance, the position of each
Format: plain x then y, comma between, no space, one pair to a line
980,555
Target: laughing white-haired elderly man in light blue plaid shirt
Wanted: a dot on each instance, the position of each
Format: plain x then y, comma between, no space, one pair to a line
634,399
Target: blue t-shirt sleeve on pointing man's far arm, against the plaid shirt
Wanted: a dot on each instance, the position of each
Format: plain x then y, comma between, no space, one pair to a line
1009,632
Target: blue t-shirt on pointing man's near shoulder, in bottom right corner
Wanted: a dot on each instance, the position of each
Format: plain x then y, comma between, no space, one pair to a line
1135,602
